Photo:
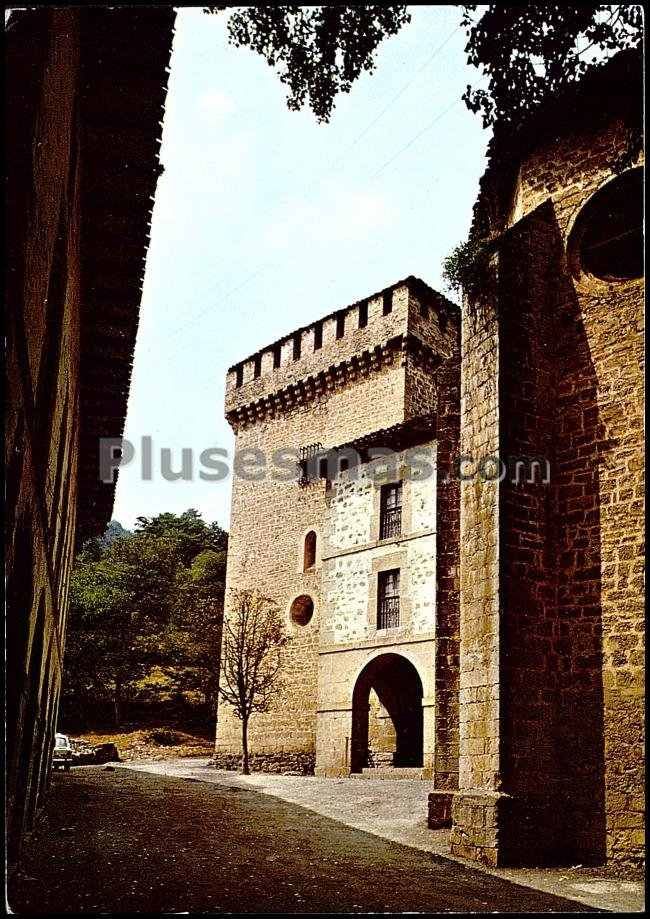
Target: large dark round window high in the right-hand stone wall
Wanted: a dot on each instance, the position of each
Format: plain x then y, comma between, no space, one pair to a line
607,240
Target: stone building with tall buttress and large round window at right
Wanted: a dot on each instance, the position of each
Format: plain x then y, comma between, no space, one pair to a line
551,603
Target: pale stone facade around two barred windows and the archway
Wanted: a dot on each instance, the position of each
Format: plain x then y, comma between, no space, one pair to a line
353,557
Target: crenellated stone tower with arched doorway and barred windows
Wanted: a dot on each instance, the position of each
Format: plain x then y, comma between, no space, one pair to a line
351,555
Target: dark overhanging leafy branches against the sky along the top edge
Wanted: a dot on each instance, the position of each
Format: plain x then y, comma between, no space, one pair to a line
529,52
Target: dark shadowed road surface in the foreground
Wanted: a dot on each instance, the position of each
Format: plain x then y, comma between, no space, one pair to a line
123,840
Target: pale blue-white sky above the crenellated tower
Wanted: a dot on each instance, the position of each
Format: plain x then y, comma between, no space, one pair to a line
264,220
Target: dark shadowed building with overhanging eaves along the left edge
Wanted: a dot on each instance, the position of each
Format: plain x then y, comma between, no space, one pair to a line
85,96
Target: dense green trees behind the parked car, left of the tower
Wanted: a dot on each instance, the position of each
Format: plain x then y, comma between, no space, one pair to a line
145,604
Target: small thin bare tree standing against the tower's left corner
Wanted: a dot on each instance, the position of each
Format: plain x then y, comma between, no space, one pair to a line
253,637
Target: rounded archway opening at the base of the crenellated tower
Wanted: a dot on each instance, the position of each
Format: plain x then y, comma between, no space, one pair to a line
387,718
